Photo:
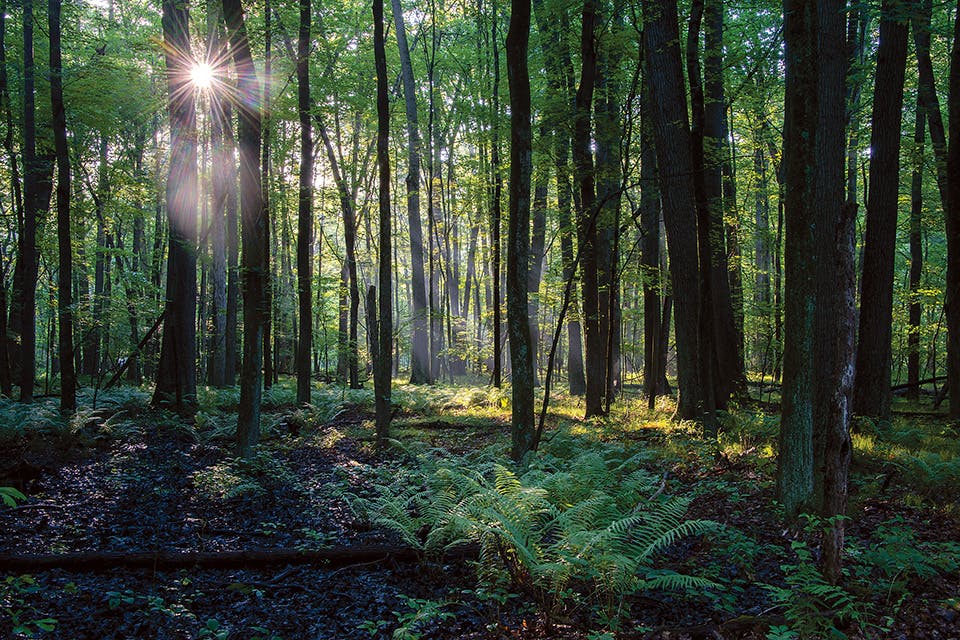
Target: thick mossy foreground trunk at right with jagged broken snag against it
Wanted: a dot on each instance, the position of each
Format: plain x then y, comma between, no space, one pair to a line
820,286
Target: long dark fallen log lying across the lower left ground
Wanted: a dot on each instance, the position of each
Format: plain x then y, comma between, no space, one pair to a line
93,561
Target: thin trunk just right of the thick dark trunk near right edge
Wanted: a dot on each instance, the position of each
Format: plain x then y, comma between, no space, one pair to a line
916,256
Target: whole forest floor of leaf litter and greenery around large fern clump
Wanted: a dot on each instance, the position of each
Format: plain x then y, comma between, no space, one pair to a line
127,478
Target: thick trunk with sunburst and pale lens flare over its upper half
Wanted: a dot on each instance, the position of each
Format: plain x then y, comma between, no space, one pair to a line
176,375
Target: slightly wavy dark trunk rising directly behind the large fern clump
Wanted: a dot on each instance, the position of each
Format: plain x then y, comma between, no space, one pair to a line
518,230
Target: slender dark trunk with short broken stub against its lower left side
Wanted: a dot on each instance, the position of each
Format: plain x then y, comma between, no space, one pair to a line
383,360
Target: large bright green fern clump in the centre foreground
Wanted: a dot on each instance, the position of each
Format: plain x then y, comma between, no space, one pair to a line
585,529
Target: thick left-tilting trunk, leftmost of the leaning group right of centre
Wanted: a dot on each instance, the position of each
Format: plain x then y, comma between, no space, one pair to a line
675,166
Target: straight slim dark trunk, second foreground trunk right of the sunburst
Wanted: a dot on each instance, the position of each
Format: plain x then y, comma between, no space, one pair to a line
305,210
